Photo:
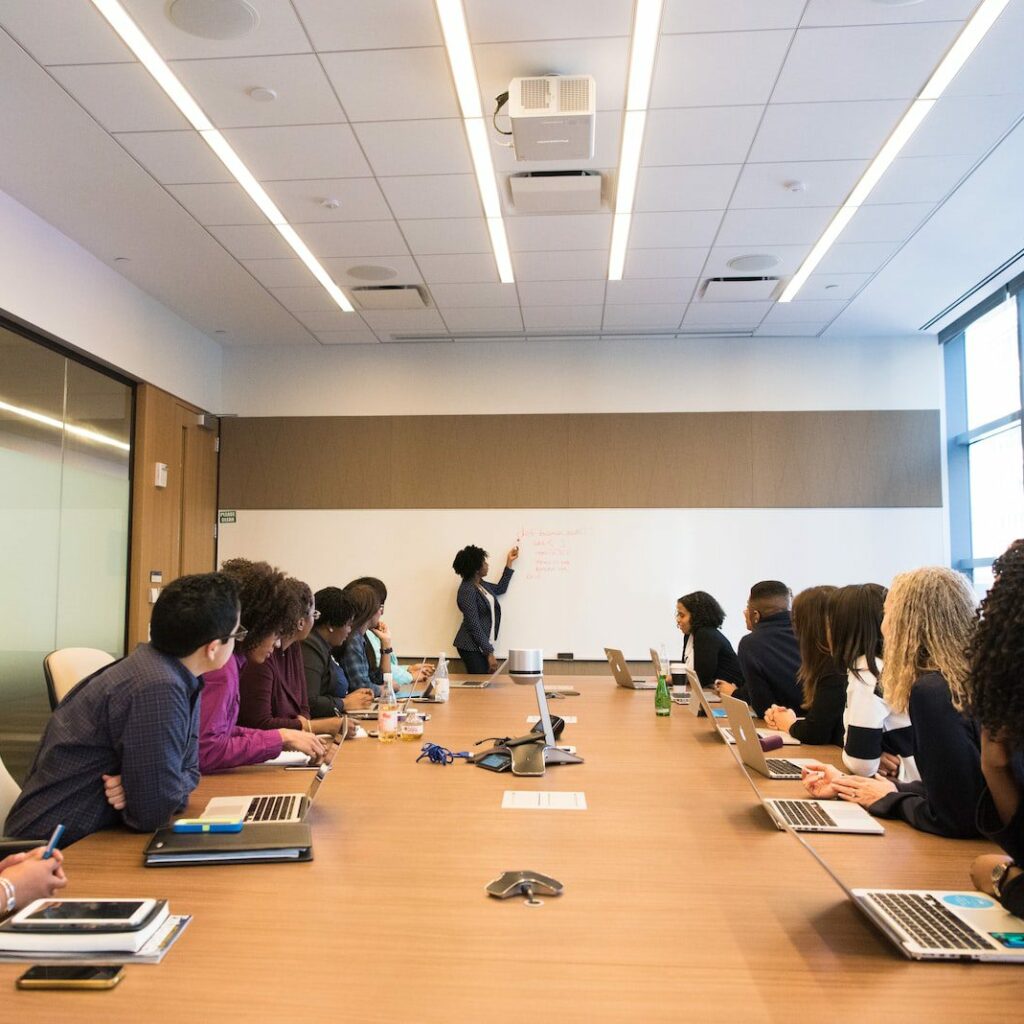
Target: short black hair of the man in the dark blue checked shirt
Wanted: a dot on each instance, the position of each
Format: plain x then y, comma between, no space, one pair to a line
193,611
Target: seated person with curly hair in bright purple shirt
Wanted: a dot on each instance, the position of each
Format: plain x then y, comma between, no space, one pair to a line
270,611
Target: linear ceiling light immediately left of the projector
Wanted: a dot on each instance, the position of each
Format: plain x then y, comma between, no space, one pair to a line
453,19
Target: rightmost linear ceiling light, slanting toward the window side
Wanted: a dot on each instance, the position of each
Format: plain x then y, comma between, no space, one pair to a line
971,35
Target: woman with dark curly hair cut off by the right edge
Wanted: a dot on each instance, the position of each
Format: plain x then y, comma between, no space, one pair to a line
996,697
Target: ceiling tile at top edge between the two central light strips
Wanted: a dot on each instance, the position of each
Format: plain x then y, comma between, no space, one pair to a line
499,21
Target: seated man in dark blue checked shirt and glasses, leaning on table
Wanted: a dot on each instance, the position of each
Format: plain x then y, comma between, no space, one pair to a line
122,748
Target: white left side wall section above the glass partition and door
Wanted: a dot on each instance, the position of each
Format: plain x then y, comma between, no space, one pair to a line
54,284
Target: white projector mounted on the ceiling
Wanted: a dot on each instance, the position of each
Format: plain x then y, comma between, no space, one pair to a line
553,117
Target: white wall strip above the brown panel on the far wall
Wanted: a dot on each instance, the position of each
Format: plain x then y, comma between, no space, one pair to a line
657,375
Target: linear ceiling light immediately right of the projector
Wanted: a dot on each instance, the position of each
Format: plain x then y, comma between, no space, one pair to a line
647,26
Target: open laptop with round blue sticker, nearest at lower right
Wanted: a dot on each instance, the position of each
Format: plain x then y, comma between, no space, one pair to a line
932,924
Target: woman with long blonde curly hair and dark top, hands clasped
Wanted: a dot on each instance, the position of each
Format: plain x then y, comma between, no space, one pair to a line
927,628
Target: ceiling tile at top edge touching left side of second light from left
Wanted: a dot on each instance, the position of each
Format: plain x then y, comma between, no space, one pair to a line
370,26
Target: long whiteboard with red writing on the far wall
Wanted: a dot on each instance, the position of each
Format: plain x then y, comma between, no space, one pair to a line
586,578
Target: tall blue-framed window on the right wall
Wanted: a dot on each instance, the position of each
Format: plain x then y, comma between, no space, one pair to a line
984,412
